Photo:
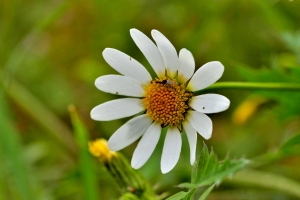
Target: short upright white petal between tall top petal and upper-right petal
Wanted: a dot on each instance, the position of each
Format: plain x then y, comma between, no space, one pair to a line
186,65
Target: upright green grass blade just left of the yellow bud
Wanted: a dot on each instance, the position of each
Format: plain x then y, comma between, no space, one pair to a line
87,171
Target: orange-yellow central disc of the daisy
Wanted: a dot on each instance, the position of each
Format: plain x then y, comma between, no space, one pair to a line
166,101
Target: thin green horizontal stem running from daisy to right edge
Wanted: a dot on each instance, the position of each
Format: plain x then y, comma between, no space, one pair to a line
252,86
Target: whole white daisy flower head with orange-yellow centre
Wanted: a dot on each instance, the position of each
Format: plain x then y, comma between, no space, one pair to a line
167,100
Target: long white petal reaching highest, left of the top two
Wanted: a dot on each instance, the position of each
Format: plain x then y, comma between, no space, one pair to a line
150,51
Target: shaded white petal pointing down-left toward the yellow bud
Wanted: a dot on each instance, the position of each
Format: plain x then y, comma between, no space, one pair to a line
129,132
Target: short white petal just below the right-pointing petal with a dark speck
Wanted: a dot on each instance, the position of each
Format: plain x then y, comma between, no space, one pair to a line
201,123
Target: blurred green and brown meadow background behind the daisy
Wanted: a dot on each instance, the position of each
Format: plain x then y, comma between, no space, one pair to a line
51,54
